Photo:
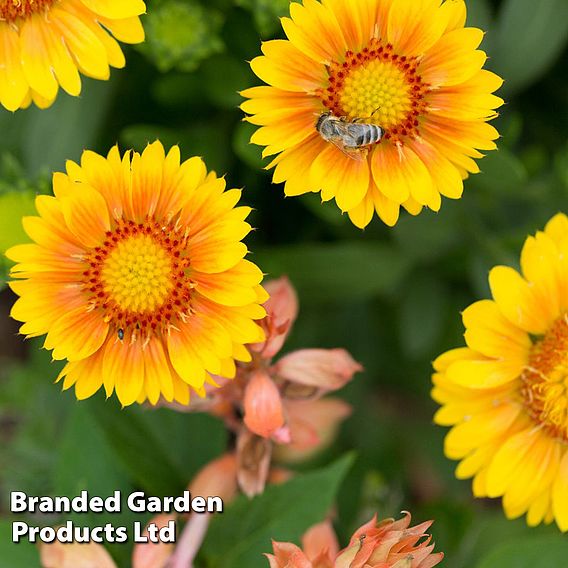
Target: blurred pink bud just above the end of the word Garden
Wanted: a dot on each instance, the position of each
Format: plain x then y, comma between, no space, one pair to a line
217,478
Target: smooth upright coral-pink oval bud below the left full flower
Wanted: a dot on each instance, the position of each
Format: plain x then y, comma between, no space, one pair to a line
263,405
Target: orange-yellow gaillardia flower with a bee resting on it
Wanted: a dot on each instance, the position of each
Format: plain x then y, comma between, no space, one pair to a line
407,66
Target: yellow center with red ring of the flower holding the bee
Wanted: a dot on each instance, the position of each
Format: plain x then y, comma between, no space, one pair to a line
377,86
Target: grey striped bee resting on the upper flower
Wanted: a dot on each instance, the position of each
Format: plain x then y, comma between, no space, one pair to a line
351,136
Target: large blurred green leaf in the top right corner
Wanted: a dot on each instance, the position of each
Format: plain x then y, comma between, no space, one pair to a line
528,39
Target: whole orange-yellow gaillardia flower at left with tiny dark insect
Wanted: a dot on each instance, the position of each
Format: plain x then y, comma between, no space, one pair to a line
138,276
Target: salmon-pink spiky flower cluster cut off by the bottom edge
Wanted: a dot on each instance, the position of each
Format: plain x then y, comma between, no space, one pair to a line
385,544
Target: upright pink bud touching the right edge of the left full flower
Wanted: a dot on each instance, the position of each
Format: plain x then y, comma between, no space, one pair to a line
282,310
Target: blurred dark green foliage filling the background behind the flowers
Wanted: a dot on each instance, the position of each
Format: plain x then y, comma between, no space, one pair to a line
390,296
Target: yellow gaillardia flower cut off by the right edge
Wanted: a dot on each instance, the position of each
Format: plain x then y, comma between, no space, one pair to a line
506,394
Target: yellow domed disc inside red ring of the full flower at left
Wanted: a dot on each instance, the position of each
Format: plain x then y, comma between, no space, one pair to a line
137,274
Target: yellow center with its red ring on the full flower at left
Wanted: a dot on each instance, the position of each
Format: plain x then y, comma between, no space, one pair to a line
139,279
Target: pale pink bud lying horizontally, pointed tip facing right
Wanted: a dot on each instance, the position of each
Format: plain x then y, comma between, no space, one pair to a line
327,369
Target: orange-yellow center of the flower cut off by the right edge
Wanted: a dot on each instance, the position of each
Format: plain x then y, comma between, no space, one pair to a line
546,380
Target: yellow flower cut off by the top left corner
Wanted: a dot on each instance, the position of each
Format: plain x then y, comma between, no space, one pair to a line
46,43
